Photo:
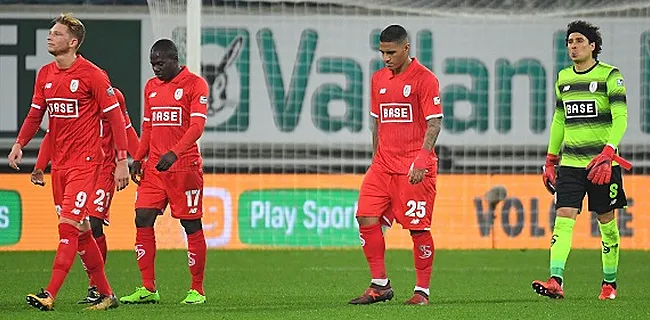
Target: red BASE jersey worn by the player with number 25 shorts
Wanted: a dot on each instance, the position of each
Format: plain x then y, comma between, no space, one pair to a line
402,105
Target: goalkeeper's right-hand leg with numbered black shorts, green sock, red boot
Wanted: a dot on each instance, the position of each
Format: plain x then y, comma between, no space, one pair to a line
604,200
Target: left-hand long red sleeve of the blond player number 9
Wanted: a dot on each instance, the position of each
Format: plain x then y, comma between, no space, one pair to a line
36,112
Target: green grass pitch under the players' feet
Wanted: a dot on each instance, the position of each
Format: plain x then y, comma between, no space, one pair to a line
317,284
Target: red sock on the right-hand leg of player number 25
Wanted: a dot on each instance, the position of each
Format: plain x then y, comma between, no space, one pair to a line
423,252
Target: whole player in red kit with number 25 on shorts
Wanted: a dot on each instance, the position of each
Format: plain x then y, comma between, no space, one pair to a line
401,182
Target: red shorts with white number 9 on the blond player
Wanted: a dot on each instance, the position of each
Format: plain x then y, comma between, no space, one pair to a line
72,189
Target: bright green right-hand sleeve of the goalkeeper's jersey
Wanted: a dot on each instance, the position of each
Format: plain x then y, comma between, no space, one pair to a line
618,107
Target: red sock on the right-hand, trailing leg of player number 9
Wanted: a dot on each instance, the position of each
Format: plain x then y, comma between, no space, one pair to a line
93,262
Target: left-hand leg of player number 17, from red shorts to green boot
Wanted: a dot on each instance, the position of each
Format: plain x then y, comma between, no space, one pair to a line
150,202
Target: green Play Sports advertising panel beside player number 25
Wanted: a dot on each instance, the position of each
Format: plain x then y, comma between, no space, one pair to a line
299,217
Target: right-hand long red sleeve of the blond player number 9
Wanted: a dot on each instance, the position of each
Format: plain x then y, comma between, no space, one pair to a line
104,94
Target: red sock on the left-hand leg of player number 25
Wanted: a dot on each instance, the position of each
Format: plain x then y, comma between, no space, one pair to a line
374,247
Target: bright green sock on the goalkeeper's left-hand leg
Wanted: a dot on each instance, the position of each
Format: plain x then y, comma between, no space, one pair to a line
561,245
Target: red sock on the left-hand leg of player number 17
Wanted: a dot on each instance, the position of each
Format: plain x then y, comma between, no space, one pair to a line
145,248
